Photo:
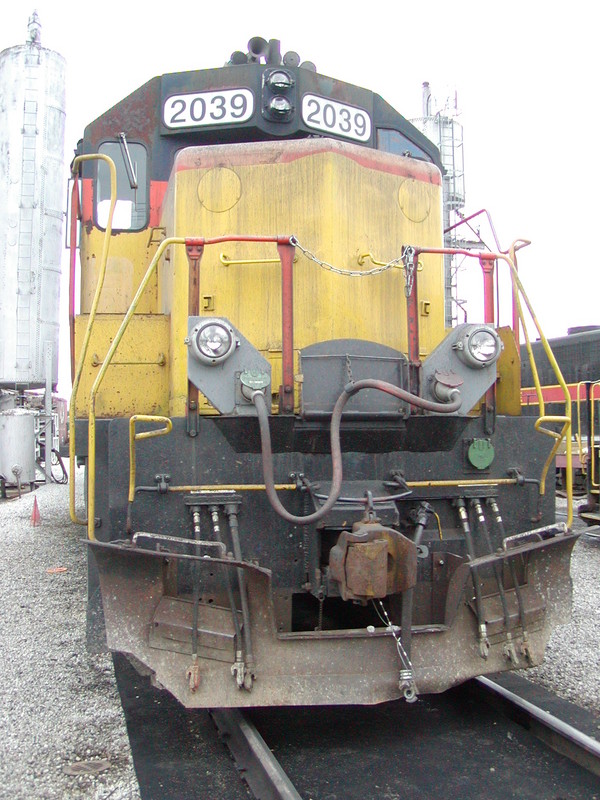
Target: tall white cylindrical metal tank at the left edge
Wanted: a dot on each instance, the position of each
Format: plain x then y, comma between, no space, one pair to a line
32,126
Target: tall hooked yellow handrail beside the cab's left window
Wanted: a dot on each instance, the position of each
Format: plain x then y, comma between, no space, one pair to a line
92,316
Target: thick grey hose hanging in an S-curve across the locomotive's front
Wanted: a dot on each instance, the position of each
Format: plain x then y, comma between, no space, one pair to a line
350,389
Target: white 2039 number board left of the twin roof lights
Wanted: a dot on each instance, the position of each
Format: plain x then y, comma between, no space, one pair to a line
226,107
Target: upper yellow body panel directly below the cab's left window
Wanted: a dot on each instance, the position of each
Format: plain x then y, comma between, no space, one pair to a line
129,255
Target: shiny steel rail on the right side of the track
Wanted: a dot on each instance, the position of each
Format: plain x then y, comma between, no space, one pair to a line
560,736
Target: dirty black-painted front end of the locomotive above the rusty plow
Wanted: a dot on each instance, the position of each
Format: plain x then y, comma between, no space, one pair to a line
226,451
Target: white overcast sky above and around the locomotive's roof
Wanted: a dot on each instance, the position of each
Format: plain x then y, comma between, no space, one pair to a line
524,73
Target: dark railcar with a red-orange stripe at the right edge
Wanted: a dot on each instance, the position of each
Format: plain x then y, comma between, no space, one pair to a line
578,356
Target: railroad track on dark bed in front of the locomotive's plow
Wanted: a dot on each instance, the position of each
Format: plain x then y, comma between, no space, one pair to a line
475,741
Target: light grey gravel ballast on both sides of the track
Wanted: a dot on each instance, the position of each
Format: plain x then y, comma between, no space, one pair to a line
61,713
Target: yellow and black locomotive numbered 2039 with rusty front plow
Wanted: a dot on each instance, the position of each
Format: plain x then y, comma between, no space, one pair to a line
301,487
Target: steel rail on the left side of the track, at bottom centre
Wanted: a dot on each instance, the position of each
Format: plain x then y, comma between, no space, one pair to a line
255,761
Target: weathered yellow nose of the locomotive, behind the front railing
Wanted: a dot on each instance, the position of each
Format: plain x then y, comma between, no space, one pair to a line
339,208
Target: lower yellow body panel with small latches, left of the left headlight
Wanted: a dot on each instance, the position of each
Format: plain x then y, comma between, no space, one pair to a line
137,381
